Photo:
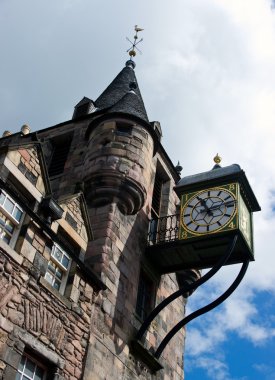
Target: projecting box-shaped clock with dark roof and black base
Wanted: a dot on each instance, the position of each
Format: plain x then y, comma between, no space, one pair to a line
216,208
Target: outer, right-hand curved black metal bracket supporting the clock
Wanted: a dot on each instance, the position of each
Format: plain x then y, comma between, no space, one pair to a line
203,310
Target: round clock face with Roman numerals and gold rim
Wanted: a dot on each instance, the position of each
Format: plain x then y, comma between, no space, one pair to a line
209,210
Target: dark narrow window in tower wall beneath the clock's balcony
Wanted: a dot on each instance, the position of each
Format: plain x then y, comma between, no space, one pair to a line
146,295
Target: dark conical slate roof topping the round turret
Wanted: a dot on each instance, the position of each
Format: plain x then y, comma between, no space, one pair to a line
123,95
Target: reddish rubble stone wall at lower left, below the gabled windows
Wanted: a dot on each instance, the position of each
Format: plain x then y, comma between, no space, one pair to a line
33,316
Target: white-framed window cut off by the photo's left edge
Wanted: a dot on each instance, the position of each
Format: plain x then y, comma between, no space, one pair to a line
10,218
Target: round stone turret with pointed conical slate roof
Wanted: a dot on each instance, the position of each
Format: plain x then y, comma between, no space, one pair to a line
121,142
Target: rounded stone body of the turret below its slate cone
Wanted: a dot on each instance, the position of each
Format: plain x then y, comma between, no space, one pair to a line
111,164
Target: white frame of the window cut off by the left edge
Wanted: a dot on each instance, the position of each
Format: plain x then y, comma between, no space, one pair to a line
16,223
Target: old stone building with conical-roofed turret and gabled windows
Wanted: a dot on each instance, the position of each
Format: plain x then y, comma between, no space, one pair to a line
75,204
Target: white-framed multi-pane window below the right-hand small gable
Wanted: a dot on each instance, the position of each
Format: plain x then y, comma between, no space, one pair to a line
58,268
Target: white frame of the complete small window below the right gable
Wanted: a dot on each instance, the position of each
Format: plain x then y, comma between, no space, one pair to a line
65,271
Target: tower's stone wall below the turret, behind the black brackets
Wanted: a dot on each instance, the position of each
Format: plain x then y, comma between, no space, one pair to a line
117,255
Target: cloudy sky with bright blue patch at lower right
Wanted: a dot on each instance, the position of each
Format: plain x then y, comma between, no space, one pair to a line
206,72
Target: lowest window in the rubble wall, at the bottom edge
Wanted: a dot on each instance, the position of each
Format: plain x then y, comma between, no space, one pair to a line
30,369
